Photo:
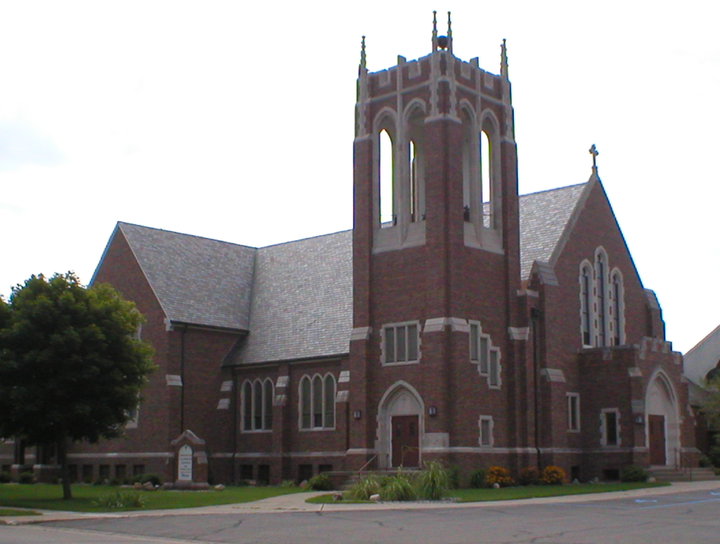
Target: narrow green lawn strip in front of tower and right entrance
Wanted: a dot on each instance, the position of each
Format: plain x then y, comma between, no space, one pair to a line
526,492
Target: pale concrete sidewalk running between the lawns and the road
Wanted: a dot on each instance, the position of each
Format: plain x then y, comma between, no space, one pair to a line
296,503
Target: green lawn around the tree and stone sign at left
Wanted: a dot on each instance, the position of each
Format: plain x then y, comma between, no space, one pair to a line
49,497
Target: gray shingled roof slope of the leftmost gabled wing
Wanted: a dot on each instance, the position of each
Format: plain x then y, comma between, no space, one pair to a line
196,280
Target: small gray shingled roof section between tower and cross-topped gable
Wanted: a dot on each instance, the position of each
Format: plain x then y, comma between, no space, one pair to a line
543,218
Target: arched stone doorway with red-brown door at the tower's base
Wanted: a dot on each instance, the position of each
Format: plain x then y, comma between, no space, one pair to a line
400,425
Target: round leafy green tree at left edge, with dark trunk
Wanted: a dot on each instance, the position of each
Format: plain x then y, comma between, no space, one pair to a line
71,366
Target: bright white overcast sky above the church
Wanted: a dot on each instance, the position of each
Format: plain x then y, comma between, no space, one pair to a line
234,122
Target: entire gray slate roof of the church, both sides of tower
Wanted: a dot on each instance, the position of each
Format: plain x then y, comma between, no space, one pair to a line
296,298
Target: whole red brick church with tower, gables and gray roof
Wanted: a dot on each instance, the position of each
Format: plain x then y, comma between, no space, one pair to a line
457,320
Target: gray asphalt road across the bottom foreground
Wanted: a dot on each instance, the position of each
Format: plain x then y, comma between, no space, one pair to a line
692,517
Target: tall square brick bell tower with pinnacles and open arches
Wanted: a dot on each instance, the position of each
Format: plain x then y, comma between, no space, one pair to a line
435,243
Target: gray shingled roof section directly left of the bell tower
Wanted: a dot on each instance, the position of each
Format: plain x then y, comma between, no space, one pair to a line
302,300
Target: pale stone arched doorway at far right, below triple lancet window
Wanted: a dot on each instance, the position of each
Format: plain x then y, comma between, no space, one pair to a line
662,424
